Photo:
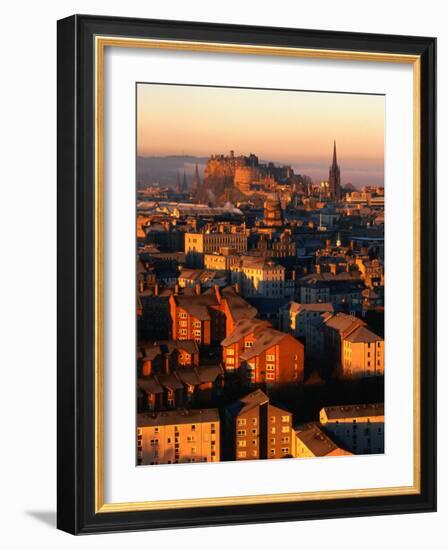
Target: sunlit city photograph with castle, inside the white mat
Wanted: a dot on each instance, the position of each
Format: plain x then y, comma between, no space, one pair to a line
260,261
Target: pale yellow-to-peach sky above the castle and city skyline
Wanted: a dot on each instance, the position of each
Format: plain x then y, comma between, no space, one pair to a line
290,127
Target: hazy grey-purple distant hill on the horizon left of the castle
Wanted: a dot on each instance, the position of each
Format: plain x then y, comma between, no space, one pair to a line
164,170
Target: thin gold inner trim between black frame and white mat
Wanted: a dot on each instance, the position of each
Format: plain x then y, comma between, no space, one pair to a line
101,42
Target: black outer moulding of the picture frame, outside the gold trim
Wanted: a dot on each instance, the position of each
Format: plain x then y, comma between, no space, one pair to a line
76,225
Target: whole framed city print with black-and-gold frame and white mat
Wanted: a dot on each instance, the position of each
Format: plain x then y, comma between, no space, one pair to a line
246,270
